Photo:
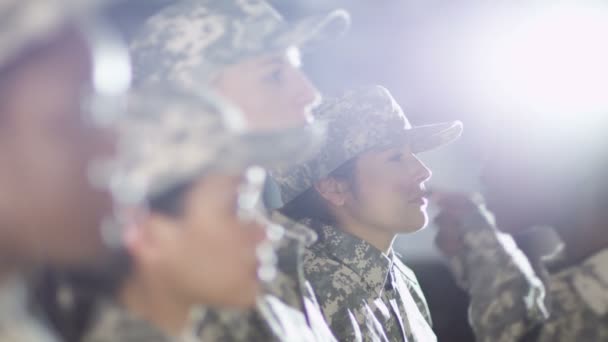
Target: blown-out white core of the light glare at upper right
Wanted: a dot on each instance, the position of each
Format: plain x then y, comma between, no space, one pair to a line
555,61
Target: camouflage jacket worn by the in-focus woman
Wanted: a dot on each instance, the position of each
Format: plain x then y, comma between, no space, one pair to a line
366,295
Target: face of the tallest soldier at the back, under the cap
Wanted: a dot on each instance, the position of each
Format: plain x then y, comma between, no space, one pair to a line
272,91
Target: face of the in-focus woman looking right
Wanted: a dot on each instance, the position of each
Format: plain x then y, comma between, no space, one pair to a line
389,190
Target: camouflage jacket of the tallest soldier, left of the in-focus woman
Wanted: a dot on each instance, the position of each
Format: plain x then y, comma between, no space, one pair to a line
288,311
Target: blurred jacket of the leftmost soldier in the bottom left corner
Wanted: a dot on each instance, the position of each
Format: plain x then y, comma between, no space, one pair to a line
17,323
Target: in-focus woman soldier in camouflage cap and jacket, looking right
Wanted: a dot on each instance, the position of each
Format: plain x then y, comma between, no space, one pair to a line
364,187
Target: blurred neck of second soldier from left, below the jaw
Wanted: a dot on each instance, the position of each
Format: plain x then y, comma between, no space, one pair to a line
151,300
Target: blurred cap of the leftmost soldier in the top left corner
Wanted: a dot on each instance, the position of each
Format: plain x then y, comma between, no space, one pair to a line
23,22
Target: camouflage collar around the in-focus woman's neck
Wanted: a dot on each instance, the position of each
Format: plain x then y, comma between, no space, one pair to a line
365,260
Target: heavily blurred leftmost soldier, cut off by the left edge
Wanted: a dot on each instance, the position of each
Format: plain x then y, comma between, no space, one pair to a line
61,78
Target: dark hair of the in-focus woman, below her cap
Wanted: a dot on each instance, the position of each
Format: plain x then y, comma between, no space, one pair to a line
311,205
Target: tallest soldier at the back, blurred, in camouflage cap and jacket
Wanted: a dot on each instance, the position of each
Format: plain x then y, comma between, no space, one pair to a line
248,54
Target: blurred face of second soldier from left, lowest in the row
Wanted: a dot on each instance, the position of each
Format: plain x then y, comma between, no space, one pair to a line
208,254
